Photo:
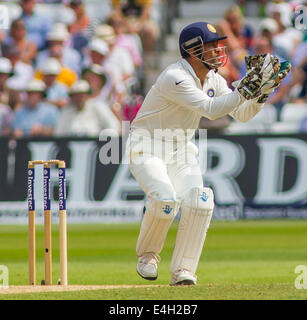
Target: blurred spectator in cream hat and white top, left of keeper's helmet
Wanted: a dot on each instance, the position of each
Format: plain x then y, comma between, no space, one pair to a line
118,57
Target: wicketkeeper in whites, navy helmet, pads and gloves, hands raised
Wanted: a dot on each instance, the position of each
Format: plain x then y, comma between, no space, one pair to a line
164,160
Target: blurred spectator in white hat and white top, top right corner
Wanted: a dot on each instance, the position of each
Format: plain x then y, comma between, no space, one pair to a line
286,37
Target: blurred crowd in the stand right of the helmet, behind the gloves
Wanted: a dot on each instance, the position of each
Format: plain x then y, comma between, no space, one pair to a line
282,32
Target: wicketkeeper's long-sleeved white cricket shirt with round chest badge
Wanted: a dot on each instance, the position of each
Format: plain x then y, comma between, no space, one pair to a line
178,101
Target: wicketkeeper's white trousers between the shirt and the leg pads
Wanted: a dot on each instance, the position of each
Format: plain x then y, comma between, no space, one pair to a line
166,177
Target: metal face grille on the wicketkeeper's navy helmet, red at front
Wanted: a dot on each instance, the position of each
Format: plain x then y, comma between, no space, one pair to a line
198,46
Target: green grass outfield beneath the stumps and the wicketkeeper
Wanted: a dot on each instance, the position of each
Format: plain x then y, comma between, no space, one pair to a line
241,260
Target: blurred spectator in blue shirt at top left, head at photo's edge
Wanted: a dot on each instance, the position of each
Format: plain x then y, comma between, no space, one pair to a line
37,25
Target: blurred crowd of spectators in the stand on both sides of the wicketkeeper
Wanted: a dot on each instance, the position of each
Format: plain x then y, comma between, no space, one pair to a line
72,75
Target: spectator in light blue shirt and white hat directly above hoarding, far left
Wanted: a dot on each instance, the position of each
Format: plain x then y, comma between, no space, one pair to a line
35,117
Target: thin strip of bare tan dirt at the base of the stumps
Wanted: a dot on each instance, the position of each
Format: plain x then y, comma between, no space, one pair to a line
34,289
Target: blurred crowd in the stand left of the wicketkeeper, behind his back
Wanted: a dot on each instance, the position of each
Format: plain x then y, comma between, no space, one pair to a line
73,75
